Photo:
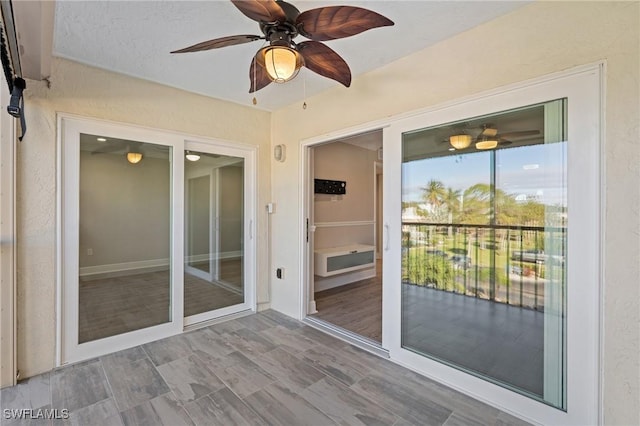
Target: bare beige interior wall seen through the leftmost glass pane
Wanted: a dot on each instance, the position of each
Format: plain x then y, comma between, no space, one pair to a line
124,210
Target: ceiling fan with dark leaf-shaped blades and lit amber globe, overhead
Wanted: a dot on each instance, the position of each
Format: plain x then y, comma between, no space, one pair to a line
281,22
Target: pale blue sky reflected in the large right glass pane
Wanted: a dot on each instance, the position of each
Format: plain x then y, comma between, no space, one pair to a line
528,171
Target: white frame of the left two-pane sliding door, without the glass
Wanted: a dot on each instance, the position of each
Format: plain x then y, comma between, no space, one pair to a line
68,152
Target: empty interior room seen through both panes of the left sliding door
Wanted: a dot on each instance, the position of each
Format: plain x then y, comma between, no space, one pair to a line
124,239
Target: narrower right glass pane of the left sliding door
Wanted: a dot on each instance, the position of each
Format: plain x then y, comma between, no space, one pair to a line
214,232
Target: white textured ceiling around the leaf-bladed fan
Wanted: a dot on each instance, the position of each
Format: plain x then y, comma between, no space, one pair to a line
135,38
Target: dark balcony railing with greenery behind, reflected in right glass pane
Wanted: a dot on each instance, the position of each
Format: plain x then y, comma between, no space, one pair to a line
506,264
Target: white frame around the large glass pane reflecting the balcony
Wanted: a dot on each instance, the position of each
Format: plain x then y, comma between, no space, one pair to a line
582,88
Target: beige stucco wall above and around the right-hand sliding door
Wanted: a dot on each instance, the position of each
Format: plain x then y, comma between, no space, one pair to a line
536,40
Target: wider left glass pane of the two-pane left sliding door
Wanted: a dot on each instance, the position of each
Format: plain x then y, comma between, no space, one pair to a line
125,267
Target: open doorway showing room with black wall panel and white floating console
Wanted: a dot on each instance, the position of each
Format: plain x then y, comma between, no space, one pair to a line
345,210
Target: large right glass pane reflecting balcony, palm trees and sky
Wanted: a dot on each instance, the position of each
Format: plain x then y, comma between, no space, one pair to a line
484,246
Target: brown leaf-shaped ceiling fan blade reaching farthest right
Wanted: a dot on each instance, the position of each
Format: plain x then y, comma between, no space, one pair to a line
332,22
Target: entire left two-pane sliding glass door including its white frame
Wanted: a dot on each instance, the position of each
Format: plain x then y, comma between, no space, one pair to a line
156,234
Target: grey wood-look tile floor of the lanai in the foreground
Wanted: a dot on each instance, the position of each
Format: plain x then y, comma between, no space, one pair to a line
263,369
